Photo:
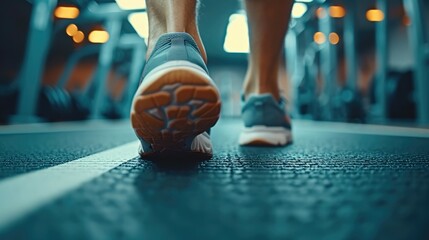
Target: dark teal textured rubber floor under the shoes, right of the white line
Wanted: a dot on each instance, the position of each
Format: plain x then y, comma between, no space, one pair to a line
325,186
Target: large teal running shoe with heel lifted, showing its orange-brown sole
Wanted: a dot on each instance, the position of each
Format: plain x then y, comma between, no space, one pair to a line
177,102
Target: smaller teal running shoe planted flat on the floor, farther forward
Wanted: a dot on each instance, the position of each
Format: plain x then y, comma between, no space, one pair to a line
266,122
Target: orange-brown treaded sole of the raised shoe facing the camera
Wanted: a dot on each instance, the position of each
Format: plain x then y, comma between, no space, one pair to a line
176,102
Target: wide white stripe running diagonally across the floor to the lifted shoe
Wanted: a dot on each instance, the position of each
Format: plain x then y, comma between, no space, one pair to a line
22,194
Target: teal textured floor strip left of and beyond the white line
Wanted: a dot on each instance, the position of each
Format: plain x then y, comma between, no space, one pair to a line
22,153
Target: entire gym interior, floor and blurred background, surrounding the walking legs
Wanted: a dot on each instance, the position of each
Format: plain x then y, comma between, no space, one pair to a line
355,74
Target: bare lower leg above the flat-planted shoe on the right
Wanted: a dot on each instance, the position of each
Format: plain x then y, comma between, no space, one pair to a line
268,24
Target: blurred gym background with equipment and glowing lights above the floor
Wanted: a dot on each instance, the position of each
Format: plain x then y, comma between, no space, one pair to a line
349,61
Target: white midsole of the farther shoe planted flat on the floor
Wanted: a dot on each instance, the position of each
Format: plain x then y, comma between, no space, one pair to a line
265,136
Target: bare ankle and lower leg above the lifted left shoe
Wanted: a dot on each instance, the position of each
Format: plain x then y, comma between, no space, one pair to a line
167,16
